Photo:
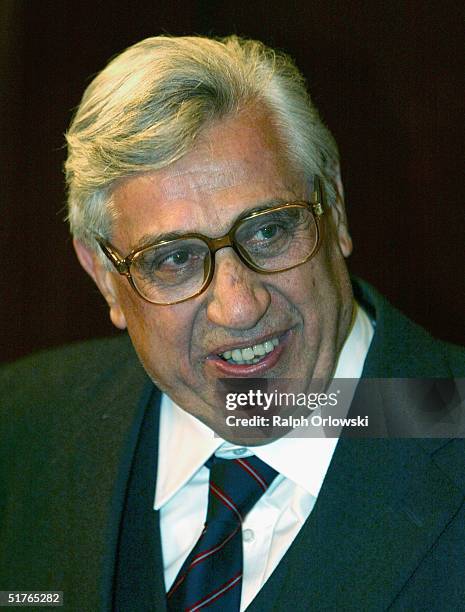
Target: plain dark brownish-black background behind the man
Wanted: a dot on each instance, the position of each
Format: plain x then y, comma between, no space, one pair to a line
386,76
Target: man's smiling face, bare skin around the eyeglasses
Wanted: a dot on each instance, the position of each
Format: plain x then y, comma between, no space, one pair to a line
236,165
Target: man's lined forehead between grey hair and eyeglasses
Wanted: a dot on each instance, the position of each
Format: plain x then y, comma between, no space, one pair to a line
237,163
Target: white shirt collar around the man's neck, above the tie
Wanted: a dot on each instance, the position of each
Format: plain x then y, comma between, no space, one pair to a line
303,460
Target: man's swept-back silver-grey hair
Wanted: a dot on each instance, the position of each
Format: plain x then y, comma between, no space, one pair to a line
147,107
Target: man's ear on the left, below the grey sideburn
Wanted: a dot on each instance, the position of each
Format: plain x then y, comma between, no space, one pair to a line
104,280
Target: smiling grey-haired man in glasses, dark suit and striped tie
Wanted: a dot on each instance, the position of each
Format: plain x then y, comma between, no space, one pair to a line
206,203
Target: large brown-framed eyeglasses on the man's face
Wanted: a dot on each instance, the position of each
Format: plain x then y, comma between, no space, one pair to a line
268,241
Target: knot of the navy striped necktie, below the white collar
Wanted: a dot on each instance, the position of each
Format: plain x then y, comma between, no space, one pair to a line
235,487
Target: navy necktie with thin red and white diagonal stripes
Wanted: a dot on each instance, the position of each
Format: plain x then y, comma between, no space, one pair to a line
211,576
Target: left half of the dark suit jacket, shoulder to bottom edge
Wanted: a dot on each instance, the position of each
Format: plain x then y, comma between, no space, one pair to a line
66,464
